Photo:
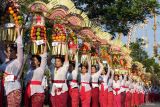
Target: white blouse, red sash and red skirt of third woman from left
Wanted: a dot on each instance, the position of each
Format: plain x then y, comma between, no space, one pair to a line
59,89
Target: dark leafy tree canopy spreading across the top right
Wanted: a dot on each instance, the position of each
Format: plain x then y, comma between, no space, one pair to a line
118,15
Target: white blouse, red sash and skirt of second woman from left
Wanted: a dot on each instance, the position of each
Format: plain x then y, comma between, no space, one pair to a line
34,94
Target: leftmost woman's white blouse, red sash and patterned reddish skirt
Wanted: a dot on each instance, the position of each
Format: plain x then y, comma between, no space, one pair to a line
10,83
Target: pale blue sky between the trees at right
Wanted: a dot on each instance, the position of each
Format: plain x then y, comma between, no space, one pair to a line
146,32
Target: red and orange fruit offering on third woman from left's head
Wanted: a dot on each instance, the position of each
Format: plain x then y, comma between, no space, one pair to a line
59,46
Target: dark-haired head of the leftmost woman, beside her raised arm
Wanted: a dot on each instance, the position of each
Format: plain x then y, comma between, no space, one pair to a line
11,53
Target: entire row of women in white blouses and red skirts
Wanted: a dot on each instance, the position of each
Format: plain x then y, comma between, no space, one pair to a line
71,84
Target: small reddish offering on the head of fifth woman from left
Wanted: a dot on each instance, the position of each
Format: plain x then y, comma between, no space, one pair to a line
85,49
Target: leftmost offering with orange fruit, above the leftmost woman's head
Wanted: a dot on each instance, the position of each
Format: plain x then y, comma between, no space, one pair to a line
10,17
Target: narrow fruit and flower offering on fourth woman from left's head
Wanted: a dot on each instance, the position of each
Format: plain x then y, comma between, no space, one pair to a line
72,43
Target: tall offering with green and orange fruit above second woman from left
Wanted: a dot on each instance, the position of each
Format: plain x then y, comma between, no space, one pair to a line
38,29
